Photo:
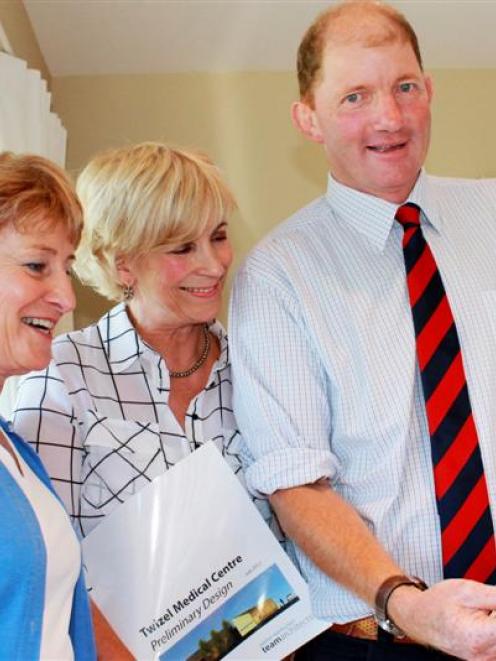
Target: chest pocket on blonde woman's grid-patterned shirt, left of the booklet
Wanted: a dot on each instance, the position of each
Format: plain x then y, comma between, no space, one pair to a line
121,457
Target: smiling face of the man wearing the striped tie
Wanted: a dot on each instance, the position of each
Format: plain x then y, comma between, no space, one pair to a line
372,114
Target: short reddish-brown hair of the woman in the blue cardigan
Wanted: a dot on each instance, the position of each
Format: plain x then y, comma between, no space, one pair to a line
37,194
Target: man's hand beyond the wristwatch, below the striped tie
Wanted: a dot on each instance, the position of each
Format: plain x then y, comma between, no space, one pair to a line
454,616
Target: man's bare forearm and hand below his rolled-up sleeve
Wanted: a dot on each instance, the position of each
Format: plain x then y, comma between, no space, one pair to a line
453,615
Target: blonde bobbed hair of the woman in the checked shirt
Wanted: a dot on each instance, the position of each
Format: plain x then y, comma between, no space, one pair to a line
138,197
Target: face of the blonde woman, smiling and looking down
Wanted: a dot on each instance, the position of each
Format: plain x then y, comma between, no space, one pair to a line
182,285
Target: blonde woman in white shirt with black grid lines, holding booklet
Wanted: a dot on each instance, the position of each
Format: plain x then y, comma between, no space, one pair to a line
126,398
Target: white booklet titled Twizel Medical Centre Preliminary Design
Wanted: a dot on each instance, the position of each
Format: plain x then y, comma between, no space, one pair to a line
187,569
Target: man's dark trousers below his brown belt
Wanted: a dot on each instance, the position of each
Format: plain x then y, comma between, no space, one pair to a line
332,646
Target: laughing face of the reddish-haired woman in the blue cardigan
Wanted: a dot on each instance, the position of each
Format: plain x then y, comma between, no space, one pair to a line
35,291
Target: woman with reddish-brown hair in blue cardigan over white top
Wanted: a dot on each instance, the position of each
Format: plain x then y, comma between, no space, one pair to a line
44,610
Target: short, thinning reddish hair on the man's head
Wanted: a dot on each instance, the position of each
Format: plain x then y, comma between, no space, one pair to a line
337,25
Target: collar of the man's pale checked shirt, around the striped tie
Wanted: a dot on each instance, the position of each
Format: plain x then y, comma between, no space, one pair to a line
372,216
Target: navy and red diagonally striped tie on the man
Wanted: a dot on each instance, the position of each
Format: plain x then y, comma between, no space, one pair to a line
467,534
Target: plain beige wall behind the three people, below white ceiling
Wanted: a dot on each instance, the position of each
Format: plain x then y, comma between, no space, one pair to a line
242,121
